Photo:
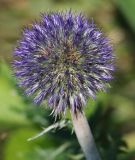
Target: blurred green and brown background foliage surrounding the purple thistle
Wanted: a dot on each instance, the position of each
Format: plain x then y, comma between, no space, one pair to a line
111,116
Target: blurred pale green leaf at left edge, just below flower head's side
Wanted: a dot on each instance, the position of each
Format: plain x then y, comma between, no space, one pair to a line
9,99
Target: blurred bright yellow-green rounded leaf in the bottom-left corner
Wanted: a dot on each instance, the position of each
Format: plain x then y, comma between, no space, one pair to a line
18,148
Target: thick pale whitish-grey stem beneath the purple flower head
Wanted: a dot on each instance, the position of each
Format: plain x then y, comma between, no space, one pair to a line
85,136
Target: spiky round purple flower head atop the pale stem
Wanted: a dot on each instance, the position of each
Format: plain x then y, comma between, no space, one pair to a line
64,60
